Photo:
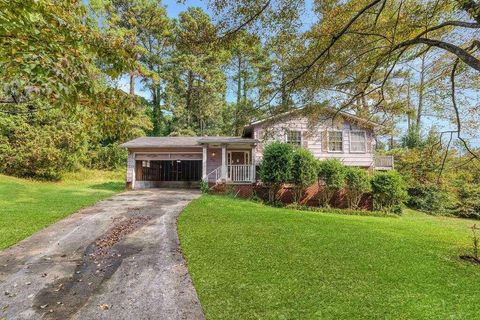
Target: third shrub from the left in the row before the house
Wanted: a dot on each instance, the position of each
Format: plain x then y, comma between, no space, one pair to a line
331,176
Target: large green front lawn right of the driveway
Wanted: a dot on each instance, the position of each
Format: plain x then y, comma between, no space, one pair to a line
250,261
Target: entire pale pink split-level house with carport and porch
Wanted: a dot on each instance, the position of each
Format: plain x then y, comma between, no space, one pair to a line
185,161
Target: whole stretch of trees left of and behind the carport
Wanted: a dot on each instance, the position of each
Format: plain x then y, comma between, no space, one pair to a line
62,65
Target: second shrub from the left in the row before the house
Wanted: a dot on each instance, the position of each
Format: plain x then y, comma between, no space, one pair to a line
304,171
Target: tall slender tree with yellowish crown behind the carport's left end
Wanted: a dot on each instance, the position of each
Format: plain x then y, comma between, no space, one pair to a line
144,24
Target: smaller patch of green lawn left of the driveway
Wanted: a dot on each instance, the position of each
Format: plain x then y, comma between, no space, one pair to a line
27,206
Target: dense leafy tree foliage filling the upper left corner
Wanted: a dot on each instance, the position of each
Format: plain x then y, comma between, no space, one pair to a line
49,54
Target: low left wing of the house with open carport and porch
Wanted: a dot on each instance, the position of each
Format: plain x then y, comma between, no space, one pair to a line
183,162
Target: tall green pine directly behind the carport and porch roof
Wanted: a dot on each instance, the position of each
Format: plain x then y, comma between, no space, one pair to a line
196,82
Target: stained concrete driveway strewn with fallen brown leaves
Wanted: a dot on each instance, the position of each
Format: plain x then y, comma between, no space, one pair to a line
119,259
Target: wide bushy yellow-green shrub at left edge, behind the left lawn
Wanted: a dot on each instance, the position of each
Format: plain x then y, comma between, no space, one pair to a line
42,148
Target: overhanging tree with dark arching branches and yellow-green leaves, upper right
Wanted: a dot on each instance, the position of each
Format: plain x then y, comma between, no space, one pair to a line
381,37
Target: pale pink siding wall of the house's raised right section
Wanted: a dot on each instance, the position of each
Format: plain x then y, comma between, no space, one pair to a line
314,137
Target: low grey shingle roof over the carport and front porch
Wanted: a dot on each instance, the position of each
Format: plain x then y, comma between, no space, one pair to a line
179,142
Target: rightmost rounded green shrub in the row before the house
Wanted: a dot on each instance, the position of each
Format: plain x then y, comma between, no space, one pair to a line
389,191
